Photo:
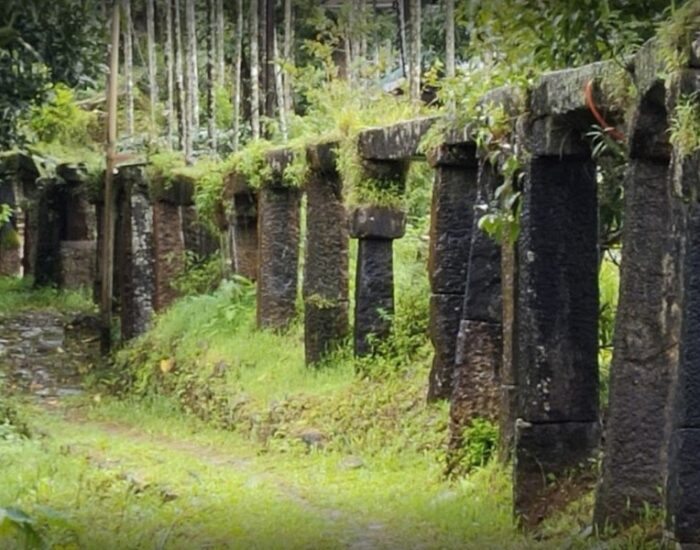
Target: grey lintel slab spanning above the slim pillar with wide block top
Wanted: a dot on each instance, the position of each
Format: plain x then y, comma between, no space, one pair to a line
397,142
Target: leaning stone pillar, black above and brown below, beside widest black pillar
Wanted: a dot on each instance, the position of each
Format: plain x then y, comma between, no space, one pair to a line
478,347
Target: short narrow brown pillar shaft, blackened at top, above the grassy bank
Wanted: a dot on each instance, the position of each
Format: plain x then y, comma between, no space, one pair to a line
245,234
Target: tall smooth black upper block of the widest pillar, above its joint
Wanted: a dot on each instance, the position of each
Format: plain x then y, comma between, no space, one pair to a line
558,292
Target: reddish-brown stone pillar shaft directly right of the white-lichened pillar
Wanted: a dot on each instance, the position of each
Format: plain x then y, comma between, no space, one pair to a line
169,248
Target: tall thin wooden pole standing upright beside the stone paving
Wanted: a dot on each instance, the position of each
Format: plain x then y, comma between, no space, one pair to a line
108,213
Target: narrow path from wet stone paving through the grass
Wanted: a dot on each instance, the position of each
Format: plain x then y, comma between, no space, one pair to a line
43,354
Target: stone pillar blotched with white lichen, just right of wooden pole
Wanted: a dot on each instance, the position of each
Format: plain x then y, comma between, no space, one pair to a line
138,261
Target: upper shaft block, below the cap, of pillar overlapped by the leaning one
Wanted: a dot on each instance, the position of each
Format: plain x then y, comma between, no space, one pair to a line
451,223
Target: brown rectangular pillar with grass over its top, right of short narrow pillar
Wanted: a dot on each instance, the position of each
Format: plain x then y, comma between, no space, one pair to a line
278,239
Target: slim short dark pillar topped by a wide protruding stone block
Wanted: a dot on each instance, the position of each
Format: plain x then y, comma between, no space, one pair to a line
376,228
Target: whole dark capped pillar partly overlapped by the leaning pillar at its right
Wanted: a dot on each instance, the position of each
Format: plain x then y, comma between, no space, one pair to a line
451,223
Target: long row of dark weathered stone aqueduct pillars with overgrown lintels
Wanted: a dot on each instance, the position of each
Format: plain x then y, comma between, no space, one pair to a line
515,328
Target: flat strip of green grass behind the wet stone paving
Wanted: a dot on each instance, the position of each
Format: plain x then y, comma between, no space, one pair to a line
19,295
